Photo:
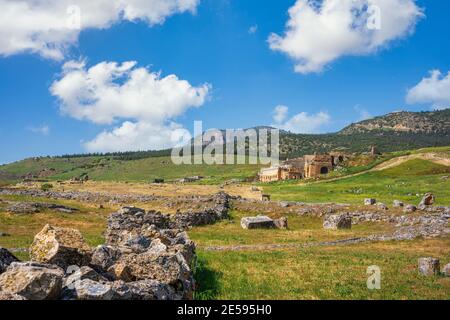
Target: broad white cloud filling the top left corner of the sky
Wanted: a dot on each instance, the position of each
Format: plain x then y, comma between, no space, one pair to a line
50,27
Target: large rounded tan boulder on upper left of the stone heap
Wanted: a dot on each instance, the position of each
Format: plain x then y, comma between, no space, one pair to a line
60,246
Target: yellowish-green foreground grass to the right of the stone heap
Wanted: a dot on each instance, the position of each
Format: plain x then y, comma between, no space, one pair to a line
322,273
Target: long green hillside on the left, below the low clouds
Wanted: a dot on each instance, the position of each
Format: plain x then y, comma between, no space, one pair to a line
143,170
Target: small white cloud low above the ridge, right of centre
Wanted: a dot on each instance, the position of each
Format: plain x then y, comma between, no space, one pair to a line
301,122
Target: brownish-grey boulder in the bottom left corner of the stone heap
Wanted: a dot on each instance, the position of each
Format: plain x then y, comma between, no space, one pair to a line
33,281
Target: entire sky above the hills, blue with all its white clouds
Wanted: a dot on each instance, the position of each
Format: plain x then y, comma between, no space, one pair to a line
80,76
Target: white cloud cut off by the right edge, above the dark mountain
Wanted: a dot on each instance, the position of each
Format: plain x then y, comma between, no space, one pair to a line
434,89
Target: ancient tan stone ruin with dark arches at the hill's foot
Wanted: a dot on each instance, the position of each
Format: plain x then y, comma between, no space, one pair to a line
309,166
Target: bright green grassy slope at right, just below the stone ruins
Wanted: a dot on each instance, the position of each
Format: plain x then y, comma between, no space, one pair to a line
407,182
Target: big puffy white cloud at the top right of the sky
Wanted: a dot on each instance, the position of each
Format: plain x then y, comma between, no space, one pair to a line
320,32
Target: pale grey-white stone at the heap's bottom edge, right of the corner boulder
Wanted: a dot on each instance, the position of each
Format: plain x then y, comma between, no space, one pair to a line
88,289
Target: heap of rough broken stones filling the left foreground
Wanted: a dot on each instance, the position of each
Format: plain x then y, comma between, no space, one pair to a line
147,256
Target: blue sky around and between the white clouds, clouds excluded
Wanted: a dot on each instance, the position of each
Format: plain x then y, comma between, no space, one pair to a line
217,45
